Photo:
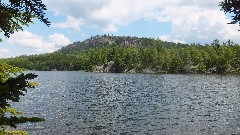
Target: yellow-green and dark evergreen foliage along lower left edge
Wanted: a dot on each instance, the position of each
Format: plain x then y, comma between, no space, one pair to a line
13,84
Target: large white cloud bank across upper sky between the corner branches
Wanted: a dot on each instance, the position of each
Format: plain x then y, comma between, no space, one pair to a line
192,20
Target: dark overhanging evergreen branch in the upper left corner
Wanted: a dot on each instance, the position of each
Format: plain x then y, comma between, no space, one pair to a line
16,13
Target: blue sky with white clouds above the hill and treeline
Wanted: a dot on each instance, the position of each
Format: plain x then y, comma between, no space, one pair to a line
183,21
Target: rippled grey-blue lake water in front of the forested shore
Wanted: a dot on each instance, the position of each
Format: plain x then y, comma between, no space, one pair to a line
76,103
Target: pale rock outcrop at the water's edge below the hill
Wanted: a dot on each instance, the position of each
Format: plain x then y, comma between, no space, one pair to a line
105,68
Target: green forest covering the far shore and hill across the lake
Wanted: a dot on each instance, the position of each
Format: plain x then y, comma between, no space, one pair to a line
136,55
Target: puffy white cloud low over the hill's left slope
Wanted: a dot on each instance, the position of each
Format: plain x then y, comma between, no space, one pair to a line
37,43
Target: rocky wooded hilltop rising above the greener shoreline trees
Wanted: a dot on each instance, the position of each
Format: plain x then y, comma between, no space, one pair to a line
106,40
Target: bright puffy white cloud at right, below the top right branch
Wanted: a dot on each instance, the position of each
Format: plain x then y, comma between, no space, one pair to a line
196,25
